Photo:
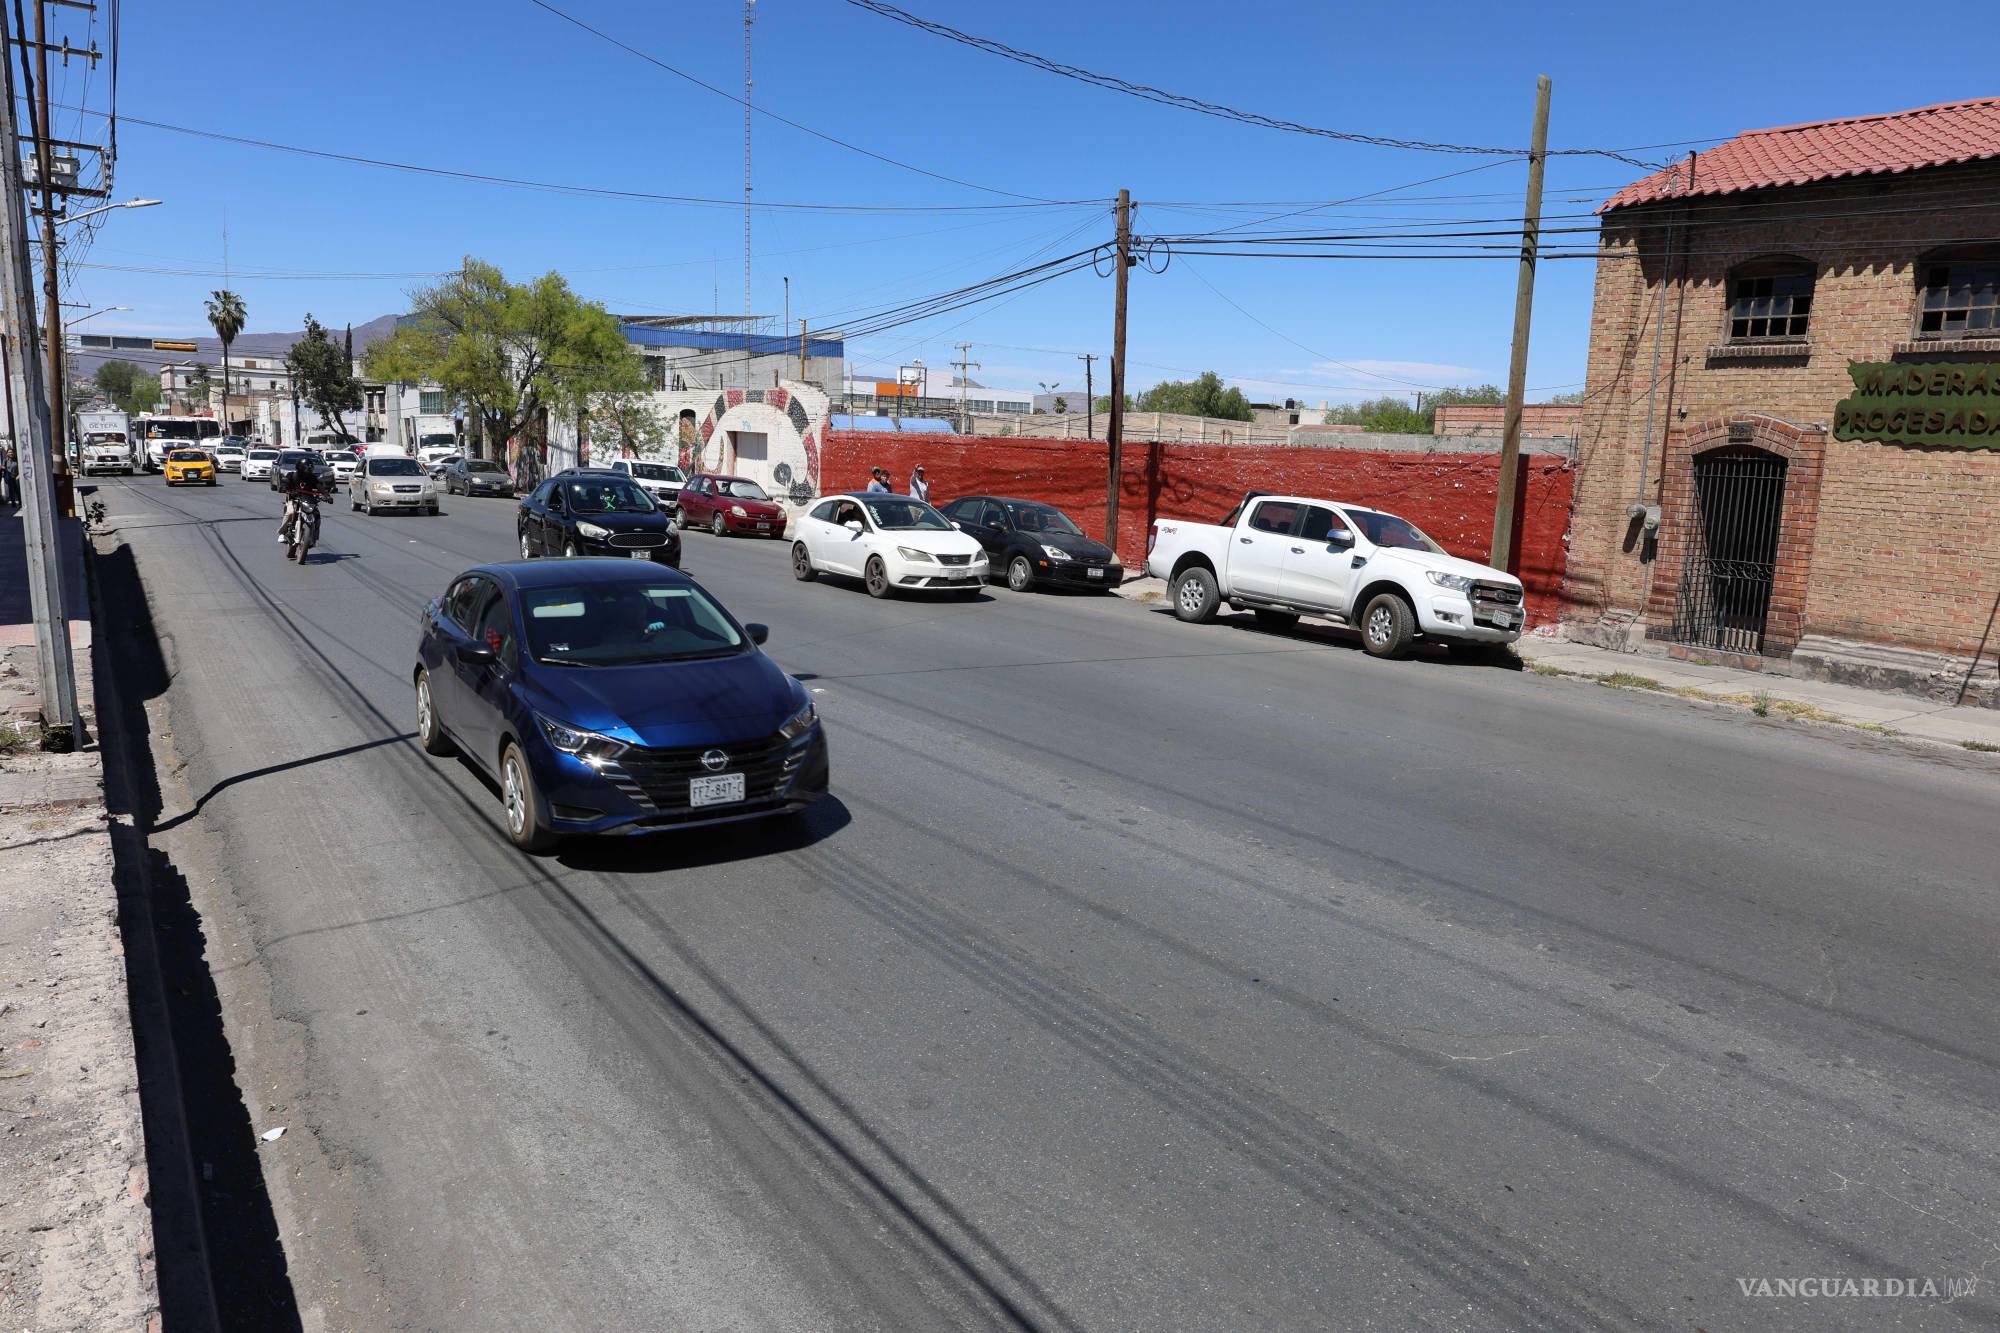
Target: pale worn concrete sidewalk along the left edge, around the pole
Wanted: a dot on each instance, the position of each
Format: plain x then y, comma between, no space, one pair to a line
77,1248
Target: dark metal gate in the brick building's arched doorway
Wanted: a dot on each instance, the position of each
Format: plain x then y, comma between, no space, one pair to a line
1731,541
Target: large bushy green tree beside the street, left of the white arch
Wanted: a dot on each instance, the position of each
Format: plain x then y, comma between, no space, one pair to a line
505,351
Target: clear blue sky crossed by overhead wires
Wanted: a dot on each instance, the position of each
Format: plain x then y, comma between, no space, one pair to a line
503,87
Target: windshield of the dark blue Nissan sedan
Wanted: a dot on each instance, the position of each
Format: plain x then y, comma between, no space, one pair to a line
625,625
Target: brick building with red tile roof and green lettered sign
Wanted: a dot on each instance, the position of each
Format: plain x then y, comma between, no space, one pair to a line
1791,439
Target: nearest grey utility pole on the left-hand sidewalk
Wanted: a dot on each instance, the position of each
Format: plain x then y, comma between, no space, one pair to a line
33,423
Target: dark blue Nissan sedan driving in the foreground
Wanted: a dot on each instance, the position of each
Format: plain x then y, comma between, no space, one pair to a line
613,698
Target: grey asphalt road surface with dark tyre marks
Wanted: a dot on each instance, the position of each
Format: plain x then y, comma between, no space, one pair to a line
1137,978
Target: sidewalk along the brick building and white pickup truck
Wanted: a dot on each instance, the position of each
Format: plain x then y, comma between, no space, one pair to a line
1815,702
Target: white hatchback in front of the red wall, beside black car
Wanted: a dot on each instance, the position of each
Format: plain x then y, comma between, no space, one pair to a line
893,543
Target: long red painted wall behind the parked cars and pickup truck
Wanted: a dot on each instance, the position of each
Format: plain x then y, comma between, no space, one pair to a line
1447,495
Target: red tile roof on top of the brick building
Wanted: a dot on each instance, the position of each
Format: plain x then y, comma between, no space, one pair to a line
1829,151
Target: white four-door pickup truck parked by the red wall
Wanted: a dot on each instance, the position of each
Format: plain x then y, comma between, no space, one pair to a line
1289,557
